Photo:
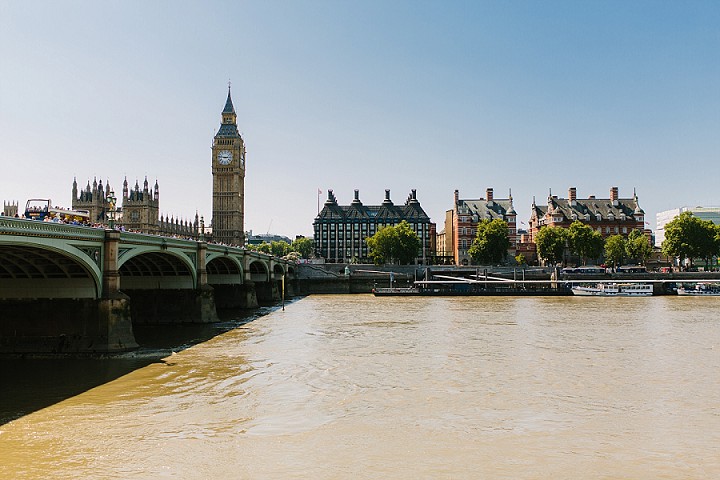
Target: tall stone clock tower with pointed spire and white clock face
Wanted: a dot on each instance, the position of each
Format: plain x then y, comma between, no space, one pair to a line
228,167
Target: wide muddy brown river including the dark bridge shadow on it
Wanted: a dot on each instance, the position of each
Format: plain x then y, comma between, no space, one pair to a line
354,386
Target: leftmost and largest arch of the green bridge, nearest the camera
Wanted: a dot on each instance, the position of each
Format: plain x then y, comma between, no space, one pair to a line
45,270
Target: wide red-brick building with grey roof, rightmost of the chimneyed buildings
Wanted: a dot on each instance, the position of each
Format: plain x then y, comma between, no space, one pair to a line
609,216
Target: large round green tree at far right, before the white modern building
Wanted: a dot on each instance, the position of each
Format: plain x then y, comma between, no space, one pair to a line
687,236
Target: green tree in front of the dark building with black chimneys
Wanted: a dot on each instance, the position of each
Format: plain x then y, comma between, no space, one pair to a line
398,244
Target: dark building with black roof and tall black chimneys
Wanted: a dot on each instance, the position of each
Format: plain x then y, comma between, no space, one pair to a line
340,231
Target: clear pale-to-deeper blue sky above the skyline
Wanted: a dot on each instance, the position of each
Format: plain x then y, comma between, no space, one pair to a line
529,96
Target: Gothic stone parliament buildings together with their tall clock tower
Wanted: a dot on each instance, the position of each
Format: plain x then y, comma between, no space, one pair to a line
140,207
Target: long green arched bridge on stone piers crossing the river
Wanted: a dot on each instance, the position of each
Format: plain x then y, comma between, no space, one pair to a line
66,288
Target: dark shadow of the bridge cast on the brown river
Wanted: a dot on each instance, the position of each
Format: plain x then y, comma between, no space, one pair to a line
31,383
